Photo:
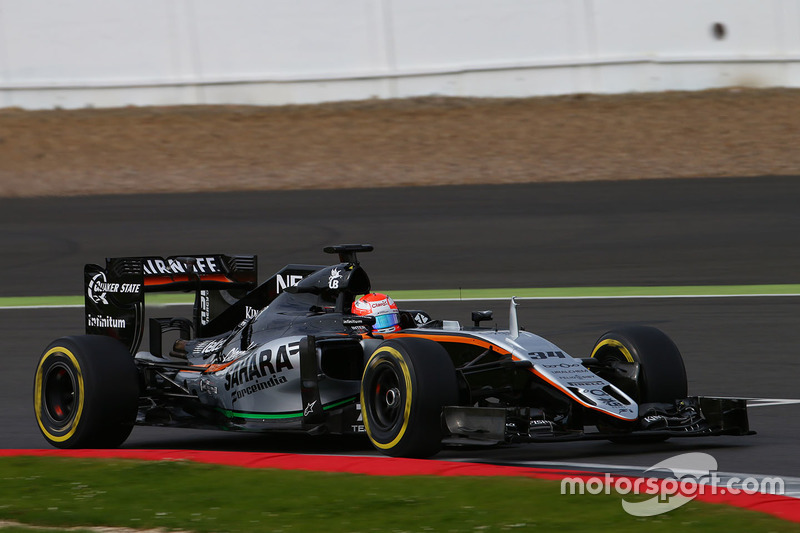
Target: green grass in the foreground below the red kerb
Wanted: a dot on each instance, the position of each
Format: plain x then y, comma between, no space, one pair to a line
196,497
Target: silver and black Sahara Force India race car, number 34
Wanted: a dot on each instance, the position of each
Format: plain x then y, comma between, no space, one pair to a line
295,354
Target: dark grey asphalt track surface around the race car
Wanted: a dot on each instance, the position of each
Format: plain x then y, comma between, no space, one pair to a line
669,232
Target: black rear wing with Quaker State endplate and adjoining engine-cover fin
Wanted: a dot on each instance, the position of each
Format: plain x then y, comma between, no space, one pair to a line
225,287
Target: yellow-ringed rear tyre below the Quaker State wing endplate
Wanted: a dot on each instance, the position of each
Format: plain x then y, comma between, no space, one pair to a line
85,392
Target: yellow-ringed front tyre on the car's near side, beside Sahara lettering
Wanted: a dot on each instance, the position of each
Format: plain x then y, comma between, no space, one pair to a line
406,383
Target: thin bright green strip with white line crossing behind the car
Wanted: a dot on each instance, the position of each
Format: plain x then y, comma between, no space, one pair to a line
489,294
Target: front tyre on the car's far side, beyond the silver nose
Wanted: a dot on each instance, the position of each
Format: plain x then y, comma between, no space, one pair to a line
661,377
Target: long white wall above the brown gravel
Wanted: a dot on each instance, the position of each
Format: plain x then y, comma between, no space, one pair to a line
76,53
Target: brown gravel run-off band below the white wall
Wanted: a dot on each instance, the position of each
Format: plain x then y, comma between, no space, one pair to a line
384,143
